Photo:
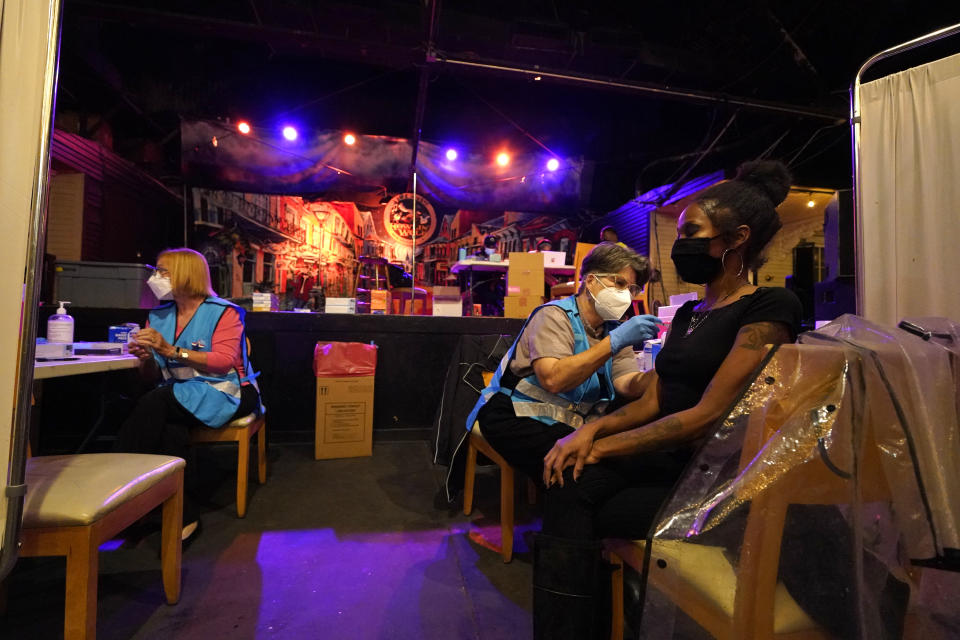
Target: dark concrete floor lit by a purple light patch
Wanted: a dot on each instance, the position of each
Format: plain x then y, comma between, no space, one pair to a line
356,548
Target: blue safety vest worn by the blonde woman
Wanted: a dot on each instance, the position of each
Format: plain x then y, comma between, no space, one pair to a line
212,398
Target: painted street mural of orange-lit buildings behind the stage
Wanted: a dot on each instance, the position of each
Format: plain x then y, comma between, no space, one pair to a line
298,248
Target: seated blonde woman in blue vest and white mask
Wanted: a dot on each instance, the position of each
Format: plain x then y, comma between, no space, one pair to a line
194,347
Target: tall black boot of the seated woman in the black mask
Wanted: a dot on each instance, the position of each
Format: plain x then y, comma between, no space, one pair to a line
571,589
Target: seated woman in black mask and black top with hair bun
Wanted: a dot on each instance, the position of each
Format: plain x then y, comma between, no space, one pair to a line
625,464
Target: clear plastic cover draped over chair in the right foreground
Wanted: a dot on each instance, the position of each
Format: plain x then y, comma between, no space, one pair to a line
809,508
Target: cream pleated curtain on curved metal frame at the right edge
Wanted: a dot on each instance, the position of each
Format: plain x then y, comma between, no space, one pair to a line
910,183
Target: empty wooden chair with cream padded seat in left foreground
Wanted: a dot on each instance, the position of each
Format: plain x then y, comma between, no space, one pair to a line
75,503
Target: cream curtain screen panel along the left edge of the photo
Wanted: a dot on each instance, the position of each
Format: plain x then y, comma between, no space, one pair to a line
28,31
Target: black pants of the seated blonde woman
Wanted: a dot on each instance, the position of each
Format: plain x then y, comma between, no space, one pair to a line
159,424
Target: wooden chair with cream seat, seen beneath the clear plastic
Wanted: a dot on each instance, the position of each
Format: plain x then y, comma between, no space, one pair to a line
749,602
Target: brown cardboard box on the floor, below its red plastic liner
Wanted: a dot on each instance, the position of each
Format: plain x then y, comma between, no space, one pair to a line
344,421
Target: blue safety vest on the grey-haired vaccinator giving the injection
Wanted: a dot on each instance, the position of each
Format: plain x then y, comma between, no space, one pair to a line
533,401
